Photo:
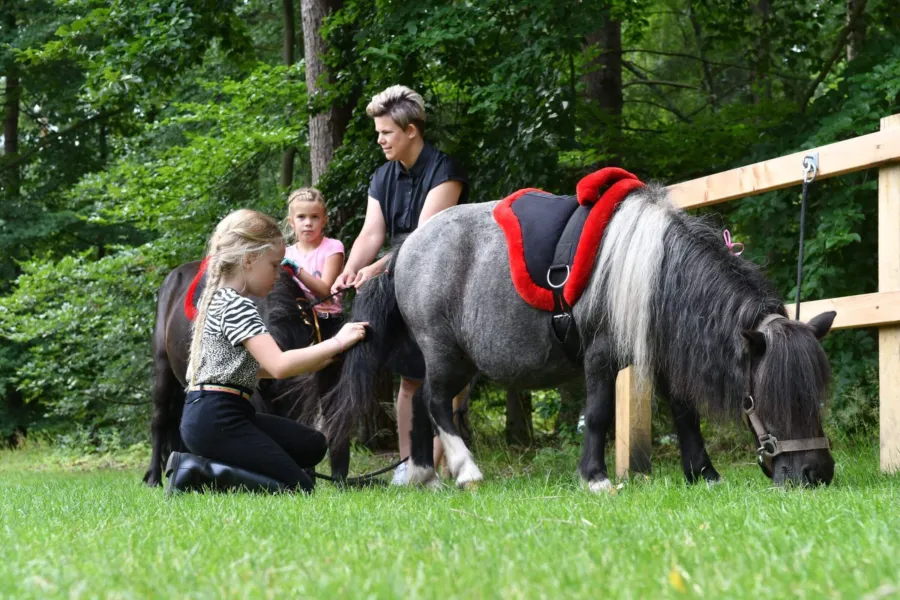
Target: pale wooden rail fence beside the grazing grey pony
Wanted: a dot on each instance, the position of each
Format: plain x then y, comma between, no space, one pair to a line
882,309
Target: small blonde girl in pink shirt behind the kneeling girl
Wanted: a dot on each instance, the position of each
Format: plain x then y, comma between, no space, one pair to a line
319,259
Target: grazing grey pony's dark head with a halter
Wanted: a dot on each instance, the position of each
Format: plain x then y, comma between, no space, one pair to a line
786,381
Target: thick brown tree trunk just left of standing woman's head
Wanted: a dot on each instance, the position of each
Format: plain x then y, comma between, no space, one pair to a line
326,129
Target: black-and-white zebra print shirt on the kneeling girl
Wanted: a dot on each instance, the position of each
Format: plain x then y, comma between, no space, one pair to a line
230,320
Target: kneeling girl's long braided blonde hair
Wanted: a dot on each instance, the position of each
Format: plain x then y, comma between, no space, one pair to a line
242,235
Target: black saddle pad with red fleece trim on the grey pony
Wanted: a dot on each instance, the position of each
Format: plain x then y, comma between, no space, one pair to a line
553,240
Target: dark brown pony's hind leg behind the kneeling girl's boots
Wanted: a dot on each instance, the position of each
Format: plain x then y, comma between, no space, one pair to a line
168,403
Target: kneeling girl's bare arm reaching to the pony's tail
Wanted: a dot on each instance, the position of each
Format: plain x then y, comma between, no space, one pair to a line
281,364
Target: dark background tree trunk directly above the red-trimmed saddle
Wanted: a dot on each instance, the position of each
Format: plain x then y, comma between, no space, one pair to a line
603,82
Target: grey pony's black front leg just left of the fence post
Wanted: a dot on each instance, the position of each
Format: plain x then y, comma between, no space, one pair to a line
599,416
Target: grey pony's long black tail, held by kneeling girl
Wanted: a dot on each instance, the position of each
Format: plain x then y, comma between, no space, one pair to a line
354,393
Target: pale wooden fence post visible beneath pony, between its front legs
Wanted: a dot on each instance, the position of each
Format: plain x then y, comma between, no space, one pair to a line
633,410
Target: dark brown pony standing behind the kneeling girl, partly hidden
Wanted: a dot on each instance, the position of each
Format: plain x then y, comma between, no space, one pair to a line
294,398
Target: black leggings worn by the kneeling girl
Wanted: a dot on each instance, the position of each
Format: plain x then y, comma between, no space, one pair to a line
226,428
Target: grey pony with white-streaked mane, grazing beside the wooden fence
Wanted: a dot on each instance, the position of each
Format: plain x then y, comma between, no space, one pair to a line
666,296
